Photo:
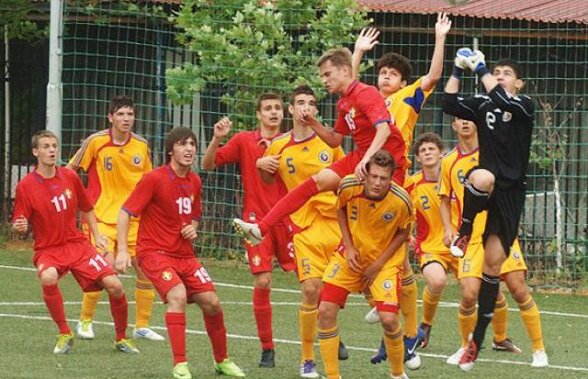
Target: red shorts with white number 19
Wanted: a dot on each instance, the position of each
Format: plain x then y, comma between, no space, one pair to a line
166,272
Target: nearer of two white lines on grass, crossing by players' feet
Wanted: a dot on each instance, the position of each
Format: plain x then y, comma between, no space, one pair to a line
290,342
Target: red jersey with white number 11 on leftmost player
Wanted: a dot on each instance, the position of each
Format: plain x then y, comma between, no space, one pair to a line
50,205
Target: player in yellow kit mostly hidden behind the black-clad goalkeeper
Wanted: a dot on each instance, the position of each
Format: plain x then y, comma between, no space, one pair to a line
455,166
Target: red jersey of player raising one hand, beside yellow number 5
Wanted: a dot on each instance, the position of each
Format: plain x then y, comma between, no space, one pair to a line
246,148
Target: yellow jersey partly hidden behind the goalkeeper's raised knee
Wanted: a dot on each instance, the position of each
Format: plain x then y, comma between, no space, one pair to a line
454,166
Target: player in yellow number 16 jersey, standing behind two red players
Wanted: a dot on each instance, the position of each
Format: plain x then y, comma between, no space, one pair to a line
115,160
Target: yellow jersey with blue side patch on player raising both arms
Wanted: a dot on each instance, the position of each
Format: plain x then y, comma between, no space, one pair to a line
405,106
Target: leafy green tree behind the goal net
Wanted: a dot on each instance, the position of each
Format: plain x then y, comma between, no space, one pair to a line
249,48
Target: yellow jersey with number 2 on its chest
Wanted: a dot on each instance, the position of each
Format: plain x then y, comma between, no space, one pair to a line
429,227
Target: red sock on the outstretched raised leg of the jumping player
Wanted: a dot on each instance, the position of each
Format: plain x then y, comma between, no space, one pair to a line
289,204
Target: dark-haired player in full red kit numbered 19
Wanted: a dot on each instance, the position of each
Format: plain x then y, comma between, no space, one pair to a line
168,200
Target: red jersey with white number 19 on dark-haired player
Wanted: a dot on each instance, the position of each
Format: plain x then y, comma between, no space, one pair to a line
166,203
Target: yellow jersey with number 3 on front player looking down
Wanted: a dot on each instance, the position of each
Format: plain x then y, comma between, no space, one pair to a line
373,223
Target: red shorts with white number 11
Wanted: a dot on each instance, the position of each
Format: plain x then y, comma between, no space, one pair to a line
85,263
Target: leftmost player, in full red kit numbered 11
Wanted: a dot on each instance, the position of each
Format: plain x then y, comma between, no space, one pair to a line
48,199
